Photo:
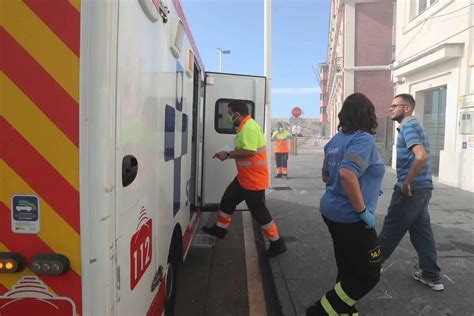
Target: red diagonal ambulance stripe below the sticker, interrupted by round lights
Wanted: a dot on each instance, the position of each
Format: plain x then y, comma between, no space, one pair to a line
68,284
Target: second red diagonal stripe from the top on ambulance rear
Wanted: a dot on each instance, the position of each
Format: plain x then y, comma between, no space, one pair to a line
39,86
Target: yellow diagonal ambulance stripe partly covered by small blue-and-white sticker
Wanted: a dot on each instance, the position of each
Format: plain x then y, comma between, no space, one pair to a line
55,231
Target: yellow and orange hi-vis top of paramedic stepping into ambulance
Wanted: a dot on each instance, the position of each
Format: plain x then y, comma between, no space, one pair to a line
252,173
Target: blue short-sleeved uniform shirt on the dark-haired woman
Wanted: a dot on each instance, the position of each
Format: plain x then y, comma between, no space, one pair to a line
356,152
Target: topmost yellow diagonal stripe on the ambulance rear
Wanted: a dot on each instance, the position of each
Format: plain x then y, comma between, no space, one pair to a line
42,43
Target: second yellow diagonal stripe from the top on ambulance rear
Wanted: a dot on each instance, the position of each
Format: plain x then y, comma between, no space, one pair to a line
51,143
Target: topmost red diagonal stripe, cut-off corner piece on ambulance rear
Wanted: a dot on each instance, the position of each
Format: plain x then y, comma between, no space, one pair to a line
61,17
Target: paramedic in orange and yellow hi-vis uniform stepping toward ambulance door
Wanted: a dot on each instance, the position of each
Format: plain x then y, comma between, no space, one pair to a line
250,155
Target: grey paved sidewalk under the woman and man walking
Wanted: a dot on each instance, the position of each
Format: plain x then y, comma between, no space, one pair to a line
307,270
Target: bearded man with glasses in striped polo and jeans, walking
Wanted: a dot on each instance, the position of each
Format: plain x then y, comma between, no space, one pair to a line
408,210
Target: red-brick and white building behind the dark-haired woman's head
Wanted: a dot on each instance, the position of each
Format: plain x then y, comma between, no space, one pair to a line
360,52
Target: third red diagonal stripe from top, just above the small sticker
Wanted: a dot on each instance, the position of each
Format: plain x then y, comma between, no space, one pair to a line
39,174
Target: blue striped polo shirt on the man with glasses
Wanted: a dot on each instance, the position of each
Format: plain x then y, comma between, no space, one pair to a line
410,133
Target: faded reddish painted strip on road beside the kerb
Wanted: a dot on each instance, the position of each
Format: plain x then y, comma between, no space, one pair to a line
257,305
